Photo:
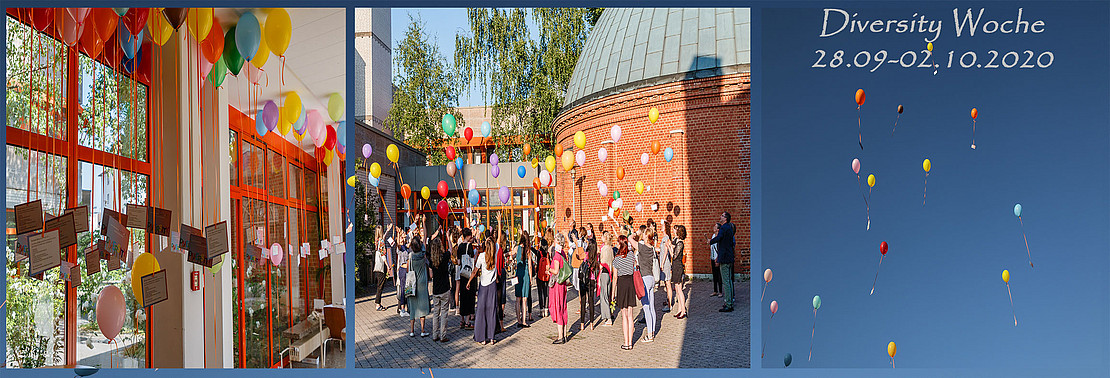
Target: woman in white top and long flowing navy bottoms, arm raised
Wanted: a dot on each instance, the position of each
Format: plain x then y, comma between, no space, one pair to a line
486,323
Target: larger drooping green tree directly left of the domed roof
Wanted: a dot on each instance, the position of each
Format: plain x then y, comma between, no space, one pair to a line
526,78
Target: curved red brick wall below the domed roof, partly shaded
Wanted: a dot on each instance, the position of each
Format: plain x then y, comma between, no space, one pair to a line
710,175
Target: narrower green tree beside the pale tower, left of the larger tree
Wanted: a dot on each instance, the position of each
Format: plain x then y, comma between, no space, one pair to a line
426,90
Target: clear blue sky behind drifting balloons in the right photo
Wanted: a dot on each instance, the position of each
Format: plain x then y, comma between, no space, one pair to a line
1043,141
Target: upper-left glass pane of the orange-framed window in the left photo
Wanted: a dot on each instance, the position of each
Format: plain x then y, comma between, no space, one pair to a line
36,81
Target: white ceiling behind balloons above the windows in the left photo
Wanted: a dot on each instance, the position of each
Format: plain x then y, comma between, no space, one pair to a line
316,62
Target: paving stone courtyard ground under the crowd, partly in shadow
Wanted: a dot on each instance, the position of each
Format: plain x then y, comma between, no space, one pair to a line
704,340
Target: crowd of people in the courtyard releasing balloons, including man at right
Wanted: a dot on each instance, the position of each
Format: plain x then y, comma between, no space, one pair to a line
612,273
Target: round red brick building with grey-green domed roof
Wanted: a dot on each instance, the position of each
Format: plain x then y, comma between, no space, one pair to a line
693,66
